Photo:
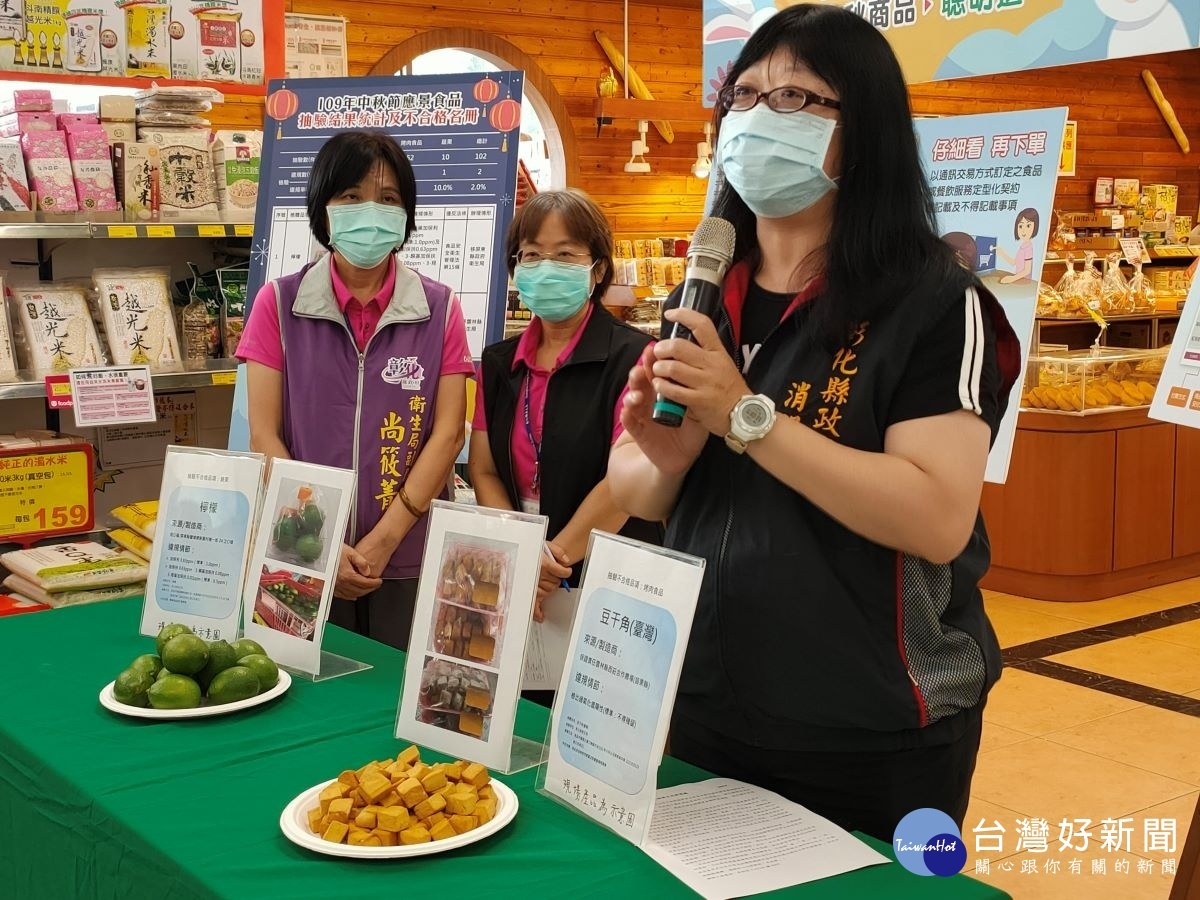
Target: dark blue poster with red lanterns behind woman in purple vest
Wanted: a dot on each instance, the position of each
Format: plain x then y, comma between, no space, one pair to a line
461,135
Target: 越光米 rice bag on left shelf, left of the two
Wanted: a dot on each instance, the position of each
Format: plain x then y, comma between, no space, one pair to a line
58,328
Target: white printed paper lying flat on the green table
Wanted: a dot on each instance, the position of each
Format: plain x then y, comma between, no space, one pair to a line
771,844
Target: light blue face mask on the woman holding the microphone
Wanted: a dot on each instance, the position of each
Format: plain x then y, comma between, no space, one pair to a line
776,161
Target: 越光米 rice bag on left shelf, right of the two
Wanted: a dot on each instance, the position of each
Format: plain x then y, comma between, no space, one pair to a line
139,317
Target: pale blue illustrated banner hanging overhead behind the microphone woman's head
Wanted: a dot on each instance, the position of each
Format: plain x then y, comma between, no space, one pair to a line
957,39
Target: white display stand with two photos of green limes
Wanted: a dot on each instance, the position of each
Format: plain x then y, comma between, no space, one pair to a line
290,586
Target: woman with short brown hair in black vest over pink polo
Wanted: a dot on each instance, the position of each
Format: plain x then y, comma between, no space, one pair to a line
549,405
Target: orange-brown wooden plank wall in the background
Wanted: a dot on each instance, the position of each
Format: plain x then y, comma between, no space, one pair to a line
1120,131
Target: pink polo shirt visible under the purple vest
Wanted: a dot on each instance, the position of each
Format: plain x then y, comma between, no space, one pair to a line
261,339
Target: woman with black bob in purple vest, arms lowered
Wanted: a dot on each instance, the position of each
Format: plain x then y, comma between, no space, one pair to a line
362,363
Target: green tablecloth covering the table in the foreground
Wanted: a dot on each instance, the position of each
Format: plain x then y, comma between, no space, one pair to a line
98,806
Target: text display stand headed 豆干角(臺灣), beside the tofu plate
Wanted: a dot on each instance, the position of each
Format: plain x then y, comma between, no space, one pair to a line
613,710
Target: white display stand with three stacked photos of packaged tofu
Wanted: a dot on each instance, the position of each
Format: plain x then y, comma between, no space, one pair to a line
475,607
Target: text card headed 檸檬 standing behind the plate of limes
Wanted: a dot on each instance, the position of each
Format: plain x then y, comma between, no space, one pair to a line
206,518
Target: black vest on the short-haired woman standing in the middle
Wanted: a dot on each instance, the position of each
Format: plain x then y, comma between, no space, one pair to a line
577,436
